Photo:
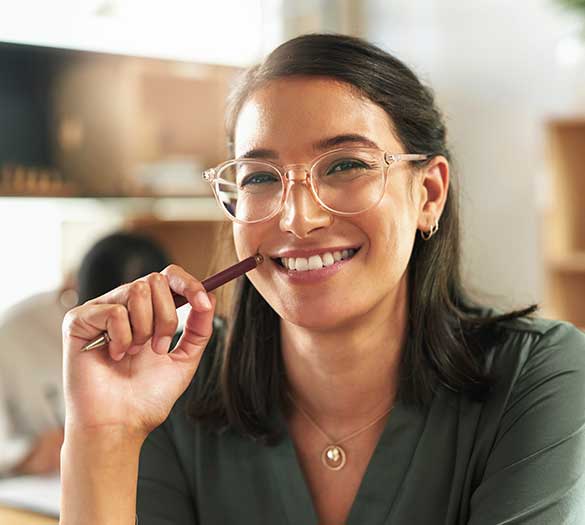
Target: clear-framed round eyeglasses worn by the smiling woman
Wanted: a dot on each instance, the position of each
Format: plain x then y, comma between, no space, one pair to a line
344,181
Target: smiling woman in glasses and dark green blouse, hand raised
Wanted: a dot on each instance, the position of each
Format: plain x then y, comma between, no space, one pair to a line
357,382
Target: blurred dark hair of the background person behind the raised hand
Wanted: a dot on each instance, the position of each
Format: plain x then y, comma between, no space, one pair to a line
117,259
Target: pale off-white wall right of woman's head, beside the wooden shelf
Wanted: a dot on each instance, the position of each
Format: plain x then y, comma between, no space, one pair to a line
492,65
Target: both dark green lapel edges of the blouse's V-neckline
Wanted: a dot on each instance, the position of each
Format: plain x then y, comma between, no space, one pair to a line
382,479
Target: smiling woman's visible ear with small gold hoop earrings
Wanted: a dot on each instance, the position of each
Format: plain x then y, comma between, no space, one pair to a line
434,188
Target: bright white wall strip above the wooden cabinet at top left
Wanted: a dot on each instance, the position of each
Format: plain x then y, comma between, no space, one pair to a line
222,31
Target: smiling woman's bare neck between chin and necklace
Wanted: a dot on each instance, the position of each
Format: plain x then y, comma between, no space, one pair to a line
350,374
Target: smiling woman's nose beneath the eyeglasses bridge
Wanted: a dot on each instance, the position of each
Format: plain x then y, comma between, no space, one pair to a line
301,213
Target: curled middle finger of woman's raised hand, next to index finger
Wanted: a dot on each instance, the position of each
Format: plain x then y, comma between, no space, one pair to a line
165,313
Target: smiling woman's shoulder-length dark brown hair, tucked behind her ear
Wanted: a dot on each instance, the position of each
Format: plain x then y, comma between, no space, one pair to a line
448,332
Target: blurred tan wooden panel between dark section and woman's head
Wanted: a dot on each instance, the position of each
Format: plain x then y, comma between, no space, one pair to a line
116,115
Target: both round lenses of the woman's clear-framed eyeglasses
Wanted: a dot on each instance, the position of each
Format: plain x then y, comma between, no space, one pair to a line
347,181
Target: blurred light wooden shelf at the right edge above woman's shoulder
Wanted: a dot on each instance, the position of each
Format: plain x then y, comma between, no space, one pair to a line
564,225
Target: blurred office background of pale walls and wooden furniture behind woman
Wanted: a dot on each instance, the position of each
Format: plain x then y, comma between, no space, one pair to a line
110,109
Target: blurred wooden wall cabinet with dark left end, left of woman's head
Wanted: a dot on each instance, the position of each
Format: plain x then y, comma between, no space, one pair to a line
80,123
